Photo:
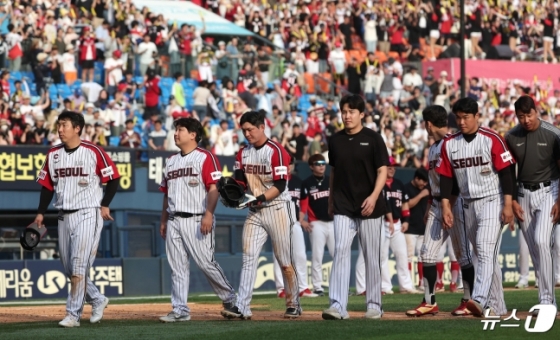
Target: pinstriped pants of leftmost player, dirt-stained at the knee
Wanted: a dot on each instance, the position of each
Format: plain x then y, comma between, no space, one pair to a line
78,240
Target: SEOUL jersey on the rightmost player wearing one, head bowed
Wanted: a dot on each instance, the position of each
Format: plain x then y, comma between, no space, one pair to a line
475,164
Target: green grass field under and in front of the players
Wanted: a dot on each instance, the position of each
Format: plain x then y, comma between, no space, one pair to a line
355,328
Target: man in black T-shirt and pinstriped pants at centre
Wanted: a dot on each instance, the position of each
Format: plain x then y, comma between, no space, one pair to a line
358,159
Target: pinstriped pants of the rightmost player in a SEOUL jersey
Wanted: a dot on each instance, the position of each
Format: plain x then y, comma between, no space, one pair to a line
484,230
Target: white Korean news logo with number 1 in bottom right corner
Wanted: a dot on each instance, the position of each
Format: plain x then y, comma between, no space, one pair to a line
543,323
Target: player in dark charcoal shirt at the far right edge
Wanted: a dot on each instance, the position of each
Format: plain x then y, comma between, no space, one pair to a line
535,145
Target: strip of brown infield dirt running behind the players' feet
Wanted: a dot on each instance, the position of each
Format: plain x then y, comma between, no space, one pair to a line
199,312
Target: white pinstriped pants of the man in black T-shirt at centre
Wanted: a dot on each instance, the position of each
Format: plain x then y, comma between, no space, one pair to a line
369,233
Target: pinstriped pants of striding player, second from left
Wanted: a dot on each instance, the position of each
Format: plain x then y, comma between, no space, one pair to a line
184,241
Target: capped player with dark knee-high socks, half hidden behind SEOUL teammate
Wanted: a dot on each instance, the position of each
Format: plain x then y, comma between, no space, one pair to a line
436,235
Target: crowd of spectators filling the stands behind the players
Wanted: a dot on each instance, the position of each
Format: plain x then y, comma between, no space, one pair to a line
131,73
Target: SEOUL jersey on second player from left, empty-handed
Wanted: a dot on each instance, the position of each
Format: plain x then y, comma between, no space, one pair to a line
187,178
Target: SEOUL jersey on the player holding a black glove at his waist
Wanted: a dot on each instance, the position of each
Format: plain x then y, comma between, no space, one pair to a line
263,166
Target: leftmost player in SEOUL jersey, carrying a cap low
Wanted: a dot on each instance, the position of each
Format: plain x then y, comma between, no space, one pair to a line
74,170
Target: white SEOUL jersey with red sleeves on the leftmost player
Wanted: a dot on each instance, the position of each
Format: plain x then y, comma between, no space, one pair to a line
76,175
